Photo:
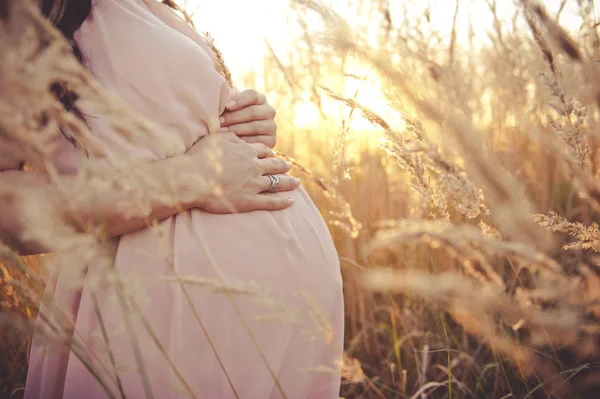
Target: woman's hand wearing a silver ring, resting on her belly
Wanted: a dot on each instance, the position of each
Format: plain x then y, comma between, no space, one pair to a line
236,172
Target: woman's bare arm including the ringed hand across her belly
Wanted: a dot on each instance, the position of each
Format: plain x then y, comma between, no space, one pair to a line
219,174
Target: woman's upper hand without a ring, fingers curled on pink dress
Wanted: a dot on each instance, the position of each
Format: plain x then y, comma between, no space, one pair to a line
251,118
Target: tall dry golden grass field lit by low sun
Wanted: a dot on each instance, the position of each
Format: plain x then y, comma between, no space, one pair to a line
459,175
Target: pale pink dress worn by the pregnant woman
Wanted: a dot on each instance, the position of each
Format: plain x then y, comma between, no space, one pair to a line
191,342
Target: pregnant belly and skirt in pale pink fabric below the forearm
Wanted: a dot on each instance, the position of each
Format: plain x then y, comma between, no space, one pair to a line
218,301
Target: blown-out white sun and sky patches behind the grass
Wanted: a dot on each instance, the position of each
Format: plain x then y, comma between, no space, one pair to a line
241,28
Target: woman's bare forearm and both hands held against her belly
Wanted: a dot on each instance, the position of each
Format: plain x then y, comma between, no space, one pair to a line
241,179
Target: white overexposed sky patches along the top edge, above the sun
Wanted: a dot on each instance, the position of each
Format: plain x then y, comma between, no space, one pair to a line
241,27
